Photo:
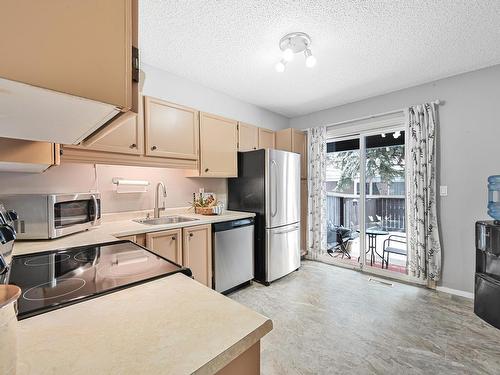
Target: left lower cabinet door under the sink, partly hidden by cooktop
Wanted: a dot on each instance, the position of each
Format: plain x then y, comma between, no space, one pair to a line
167,243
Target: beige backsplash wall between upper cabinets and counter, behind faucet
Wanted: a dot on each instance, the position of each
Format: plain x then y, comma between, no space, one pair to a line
83,177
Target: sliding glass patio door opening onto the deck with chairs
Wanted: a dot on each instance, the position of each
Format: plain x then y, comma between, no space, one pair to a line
366,202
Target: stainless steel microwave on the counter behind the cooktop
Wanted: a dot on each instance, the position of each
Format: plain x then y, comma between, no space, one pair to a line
46,216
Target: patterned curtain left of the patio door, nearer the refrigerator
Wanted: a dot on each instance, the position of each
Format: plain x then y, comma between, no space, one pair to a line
317,191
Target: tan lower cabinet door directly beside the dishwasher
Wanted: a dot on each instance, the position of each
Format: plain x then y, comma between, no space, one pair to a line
197,252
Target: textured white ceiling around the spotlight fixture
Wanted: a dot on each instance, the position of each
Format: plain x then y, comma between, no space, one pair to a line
364,48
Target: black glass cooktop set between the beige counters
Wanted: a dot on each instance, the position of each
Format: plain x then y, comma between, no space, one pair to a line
59,278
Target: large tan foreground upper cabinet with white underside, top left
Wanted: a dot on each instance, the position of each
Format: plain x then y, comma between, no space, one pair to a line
67,67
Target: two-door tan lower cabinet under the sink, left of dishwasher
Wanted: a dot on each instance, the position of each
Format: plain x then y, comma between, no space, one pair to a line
190,247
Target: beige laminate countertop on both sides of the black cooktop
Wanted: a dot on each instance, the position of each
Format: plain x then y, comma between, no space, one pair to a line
173,325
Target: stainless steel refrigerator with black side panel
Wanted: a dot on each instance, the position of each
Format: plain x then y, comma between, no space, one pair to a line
268,184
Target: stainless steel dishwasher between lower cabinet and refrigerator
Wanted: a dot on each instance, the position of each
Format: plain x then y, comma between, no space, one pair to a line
233,249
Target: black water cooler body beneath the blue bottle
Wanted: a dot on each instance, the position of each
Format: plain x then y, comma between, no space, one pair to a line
487,288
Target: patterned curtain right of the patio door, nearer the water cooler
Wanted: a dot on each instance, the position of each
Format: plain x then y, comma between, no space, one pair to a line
424,252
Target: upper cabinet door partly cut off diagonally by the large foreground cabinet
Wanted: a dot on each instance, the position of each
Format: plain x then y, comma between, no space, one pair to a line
124,135
